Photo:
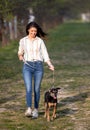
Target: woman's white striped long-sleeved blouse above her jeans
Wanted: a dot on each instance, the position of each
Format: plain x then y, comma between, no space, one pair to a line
33,49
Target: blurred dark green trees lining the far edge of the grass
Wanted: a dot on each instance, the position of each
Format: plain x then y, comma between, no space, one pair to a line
48,13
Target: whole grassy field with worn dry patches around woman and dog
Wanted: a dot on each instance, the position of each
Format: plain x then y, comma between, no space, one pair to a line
69,49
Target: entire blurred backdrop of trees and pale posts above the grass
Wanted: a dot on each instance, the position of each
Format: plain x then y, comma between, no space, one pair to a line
15,14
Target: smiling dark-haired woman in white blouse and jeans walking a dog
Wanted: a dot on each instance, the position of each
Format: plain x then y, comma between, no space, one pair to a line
32,51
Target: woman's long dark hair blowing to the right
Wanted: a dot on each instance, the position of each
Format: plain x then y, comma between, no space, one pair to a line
40,32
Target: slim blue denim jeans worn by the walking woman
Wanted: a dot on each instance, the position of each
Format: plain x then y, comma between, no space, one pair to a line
33,70
